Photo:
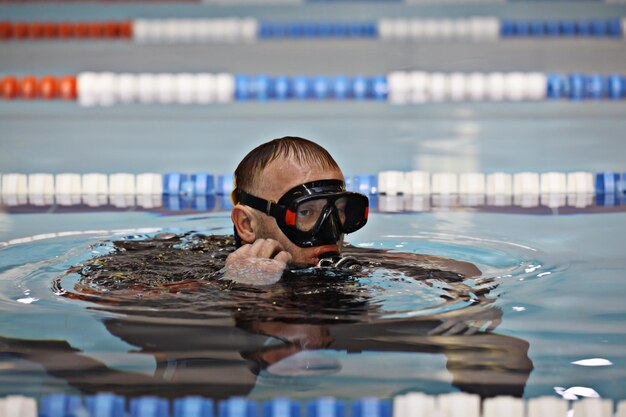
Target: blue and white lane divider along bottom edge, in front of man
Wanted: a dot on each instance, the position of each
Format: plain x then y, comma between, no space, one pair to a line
412,404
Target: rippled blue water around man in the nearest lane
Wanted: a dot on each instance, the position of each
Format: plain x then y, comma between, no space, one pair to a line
559,295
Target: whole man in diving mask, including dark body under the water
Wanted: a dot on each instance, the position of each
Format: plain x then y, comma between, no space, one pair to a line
215,338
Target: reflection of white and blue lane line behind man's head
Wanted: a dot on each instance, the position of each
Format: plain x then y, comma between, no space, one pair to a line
539,205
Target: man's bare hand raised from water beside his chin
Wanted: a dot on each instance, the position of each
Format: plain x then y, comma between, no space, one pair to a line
260,263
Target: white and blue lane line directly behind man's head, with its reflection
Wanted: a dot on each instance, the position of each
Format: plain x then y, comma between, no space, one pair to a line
389,192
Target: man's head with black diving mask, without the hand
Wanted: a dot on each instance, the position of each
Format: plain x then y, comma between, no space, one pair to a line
276,171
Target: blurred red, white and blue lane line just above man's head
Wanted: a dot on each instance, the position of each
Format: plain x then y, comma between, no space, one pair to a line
398,87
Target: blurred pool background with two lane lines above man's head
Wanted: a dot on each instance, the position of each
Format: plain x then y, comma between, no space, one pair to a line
577,125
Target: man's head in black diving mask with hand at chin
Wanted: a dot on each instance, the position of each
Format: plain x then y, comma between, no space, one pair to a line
292,208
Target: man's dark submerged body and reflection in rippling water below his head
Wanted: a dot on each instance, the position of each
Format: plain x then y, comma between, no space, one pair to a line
212,337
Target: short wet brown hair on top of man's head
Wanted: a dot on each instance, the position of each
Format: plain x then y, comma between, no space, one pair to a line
301,150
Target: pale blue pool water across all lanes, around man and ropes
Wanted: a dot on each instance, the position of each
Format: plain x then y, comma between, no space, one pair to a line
559,298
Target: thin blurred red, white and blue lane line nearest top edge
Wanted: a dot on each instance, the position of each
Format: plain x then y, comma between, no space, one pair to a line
246,30
